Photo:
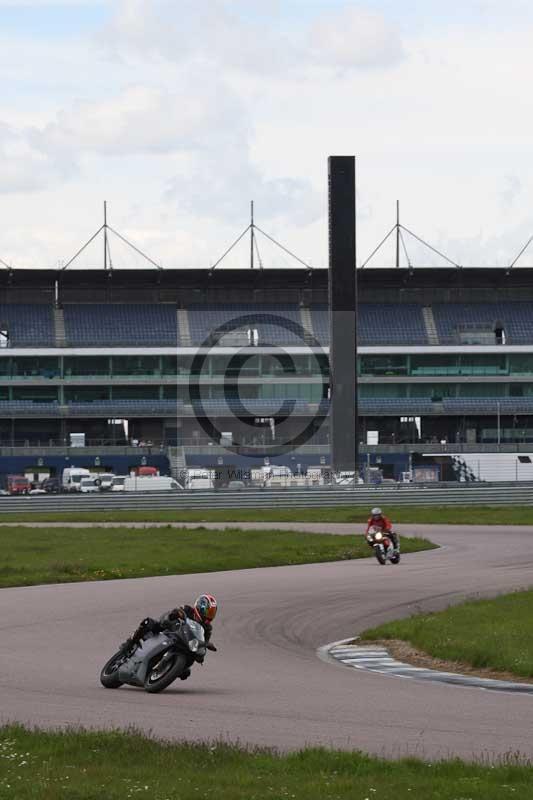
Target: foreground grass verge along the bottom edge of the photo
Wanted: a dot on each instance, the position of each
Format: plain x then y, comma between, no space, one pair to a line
115,766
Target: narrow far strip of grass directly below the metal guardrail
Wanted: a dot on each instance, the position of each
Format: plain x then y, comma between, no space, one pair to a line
460,515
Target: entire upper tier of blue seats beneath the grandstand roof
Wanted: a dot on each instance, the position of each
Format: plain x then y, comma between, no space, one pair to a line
115,324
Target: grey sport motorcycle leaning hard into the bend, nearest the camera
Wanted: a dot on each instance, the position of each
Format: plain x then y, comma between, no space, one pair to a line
157,660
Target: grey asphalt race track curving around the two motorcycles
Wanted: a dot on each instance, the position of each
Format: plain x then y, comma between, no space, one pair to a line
266,685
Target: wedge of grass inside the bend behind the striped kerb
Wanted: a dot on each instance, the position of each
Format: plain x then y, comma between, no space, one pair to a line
484,633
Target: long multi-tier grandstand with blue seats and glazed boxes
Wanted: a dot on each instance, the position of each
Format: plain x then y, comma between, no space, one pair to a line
177,361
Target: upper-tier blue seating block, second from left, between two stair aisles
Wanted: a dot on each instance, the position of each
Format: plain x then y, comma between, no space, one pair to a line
120,324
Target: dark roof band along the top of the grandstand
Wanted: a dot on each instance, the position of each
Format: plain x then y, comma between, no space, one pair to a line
268,285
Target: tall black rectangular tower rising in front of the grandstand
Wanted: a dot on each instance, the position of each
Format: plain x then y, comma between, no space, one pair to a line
342,313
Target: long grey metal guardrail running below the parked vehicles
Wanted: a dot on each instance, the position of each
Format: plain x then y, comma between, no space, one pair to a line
428,495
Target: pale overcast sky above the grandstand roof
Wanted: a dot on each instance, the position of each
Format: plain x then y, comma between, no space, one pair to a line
179,112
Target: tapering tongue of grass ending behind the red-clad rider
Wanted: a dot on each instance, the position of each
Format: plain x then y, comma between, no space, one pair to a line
57,555
